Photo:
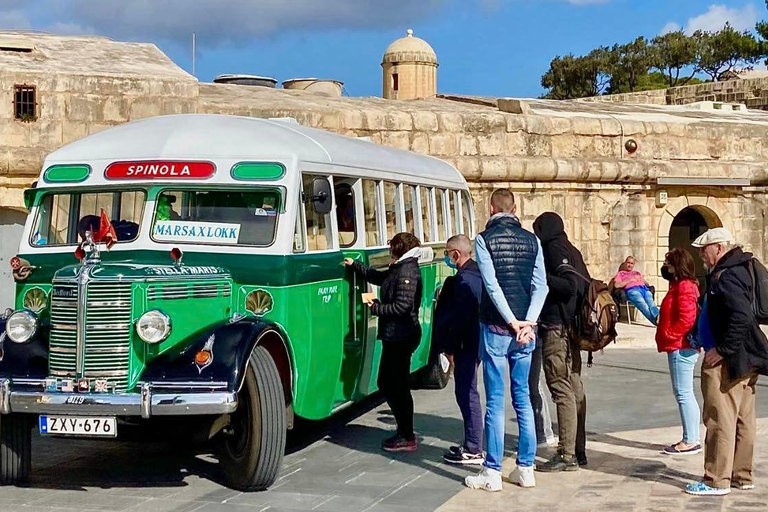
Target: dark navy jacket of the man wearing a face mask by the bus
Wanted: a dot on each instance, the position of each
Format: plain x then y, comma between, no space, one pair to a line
456,323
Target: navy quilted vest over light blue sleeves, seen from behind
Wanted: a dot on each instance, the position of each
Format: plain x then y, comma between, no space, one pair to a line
513,251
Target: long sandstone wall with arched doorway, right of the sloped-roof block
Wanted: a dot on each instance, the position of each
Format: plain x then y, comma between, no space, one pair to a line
575,165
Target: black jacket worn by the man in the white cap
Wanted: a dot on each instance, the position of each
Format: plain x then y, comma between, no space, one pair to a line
738,337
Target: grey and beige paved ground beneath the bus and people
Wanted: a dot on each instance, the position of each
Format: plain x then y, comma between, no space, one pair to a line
338,465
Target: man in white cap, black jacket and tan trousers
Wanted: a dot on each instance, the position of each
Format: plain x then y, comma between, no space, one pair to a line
736,351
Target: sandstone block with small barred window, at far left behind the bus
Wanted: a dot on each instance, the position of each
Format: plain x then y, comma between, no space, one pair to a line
54,90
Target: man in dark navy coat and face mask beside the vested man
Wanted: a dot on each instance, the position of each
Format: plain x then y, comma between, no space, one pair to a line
456,332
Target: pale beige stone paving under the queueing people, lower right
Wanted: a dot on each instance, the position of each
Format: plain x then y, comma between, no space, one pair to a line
626,472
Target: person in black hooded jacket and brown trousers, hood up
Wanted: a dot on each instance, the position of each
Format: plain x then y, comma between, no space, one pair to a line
562,357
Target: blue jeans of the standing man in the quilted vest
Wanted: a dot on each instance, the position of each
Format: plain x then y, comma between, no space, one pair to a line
497,352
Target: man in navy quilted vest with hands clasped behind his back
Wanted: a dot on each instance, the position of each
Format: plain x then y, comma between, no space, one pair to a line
515,287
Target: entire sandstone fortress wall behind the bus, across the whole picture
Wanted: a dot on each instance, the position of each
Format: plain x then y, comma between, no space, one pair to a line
628,179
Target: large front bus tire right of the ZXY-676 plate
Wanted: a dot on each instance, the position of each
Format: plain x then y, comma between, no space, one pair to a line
251,450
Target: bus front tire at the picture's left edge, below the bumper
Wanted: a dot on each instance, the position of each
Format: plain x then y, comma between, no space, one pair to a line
15,448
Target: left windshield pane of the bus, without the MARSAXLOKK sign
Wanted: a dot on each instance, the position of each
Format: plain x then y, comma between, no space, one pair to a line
64,218
